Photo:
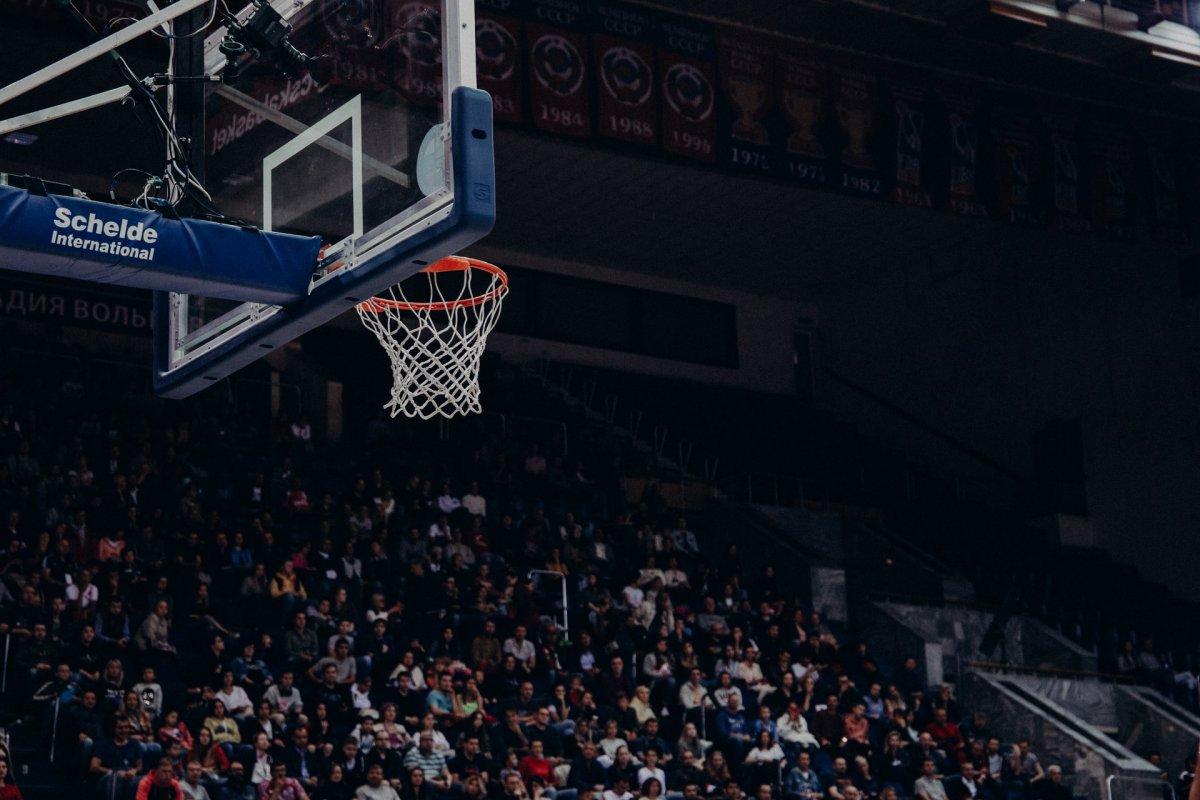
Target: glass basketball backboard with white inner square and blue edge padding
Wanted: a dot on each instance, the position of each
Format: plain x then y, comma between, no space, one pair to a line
380,145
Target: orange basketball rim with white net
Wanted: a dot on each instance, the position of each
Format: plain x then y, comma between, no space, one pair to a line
435,336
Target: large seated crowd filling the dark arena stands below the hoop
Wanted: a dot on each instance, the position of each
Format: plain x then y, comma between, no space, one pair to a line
191,622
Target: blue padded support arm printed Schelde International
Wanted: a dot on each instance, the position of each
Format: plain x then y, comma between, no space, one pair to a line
87,240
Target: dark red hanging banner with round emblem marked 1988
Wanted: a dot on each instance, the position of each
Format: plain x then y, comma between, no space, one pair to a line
623,62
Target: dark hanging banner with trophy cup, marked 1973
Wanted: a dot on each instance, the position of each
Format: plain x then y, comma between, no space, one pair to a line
805,104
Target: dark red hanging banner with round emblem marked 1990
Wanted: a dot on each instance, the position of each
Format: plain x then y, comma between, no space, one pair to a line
687,58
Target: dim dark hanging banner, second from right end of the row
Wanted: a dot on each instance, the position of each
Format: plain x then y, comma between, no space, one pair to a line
1112,191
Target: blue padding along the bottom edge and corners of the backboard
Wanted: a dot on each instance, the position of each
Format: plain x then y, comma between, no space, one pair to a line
471,219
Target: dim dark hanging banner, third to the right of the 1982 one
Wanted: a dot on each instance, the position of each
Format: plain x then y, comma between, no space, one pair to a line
1021,173
